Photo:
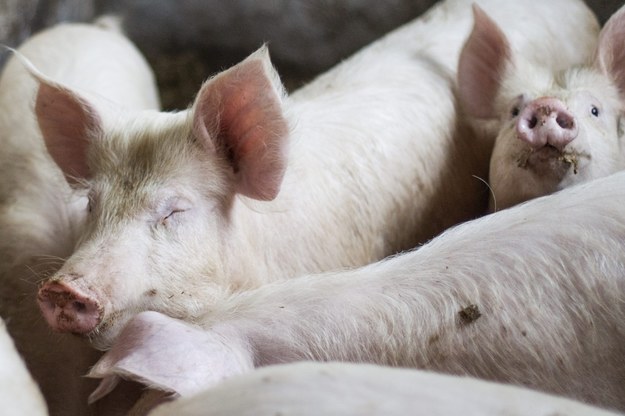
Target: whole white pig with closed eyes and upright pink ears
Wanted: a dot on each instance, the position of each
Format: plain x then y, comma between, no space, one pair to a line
250,186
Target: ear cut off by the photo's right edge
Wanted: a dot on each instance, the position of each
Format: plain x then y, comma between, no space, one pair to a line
610,51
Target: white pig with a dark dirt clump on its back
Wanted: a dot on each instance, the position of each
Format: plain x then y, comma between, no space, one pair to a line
531,295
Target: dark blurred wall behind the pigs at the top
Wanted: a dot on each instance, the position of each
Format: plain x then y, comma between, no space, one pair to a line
188,40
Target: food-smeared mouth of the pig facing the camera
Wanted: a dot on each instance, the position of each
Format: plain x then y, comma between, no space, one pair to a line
551,161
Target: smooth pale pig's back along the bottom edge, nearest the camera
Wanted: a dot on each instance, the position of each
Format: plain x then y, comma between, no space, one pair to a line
343,389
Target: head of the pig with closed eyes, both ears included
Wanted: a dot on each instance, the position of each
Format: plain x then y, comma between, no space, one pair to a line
160,186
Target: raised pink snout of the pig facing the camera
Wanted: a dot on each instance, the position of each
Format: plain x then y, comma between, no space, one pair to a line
546,121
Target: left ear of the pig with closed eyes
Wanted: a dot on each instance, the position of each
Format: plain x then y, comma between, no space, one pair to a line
66,122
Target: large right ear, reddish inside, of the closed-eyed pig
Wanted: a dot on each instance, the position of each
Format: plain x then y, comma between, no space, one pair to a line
239,113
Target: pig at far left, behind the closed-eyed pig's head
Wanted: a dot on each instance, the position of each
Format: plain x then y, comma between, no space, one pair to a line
40,215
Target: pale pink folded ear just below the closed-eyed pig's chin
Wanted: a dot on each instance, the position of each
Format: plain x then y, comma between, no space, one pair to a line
172,356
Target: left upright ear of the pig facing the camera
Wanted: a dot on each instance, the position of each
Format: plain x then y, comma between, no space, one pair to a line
482,64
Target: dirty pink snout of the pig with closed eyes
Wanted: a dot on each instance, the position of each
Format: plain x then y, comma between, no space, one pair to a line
67,309
